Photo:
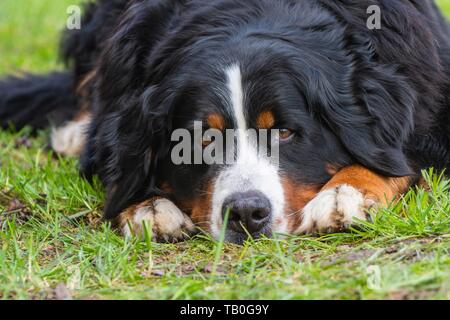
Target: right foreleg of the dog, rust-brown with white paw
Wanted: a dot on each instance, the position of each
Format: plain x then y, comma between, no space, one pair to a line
348,195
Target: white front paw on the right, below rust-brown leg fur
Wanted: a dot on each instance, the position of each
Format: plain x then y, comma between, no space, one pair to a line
334,210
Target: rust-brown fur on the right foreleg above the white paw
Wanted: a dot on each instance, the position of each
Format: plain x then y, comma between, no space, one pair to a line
372,185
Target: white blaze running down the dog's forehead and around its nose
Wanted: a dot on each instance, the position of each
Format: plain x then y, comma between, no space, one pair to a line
249,172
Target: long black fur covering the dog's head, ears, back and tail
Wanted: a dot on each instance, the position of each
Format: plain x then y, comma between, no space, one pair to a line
376,97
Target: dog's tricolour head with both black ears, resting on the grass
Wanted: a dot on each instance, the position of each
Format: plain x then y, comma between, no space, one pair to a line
320,105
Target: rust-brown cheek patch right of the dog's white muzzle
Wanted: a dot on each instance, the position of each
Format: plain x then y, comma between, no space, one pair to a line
296,197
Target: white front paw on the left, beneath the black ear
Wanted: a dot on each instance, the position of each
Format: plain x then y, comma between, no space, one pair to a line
167,222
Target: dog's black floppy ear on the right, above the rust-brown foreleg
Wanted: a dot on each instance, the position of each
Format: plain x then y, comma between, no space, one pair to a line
372,115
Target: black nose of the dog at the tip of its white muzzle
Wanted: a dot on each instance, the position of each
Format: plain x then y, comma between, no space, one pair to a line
249,210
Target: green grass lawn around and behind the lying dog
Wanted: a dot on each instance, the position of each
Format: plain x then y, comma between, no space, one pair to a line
53,244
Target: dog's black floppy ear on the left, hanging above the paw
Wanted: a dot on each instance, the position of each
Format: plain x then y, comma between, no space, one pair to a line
128,146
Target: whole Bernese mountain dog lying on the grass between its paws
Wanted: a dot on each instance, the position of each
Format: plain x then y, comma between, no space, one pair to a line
358,111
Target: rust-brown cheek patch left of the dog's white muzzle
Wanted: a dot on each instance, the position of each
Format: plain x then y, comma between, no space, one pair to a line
199,208
